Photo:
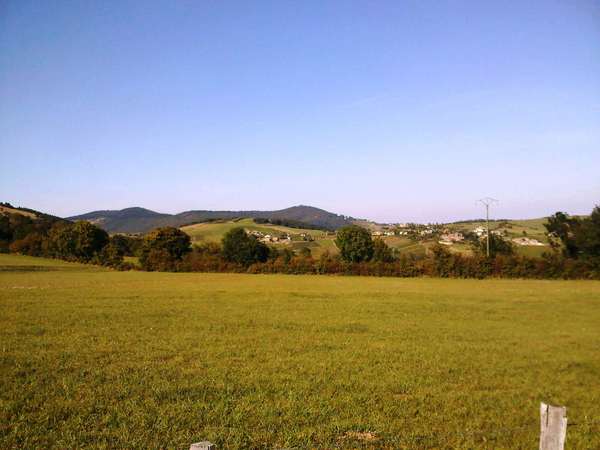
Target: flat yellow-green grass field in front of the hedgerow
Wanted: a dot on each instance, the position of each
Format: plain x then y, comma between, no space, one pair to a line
92,358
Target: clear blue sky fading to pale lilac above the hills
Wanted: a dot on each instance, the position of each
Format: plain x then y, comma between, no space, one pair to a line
388,110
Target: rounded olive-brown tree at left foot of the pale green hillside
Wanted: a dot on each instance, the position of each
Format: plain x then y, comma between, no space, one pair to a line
163,248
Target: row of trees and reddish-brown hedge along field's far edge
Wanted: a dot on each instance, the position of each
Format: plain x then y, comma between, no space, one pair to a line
575,251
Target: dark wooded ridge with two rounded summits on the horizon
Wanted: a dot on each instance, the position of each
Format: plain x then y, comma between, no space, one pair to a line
141,220
